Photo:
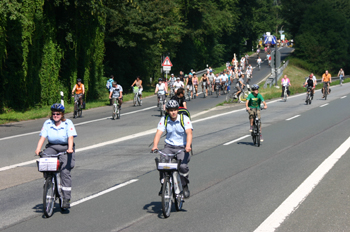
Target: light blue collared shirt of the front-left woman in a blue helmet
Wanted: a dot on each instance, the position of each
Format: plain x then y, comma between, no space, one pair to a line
59,134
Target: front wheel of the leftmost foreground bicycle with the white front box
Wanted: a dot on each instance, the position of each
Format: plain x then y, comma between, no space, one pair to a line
49,196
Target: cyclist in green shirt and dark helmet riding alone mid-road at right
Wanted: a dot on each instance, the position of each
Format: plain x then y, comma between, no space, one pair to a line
254,100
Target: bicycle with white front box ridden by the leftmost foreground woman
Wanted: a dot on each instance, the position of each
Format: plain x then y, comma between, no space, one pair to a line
50,167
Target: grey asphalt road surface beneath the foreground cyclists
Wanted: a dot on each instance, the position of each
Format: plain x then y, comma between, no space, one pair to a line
234,187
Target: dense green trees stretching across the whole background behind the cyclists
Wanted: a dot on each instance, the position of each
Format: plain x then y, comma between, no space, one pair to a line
46,44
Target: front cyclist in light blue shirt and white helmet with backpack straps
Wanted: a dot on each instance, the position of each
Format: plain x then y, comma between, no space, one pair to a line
178,137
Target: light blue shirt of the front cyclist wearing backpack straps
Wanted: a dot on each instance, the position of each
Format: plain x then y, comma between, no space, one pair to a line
176,135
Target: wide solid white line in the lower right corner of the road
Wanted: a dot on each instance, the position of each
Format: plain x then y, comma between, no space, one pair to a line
299,195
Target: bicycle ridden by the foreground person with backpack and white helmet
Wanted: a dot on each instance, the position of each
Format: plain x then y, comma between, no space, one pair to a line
172,186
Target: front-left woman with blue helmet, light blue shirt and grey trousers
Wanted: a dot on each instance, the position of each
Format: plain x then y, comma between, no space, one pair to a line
60,133
